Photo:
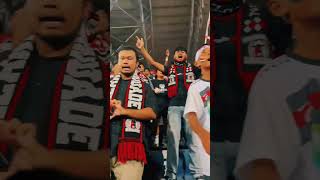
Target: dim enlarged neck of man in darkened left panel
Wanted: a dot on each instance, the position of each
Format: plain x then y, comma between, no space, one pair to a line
49,51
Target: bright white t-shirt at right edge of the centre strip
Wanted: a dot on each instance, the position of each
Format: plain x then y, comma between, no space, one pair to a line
198,101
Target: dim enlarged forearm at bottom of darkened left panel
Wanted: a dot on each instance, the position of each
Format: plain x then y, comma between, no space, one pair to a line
91,165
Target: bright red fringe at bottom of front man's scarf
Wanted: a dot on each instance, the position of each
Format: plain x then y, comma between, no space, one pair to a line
130,150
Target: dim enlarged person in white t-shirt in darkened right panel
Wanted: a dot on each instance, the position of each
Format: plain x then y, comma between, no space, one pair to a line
281,136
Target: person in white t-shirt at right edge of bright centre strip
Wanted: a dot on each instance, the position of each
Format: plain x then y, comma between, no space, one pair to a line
197,111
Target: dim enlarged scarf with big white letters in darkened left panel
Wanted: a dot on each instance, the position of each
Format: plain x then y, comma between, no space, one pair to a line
72,118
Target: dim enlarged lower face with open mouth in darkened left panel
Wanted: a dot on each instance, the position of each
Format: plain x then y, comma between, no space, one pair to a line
58,18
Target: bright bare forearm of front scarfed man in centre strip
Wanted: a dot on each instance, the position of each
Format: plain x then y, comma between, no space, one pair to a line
140,114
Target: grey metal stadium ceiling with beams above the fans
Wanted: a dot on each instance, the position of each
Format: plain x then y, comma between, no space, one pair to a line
163,23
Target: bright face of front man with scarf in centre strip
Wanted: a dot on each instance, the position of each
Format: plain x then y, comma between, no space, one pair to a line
127,61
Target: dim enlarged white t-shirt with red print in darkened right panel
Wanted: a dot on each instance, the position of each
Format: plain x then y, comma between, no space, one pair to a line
283,118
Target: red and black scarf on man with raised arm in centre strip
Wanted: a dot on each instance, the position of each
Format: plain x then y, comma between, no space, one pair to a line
188,76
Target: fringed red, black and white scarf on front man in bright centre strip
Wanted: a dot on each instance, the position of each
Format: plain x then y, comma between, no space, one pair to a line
131,144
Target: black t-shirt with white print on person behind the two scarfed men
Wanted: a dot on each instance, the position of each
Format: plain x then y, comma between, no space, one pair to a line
162,97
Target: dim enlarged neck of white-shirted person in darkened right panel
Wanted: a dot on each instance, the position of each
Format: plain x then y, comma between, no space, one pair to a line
307,40
